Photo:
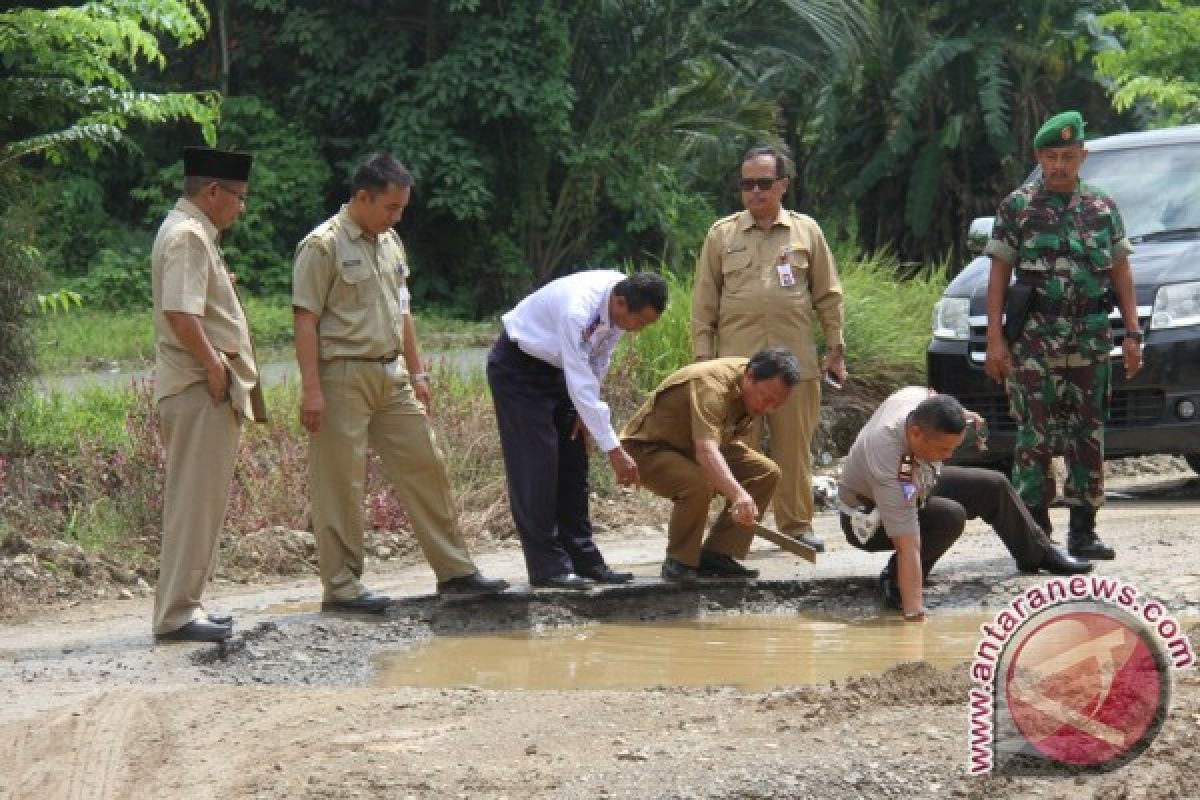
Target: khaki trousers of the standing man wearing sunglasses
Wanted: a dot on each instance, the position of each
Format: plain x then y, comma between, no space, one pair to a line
791,447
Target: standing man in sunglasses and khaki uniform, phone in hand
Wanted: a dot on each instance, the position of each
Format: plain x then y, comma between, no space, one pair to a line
765,276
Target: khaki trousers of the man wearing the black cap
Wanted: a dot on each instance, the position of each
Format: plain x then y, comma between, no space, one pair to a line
201,443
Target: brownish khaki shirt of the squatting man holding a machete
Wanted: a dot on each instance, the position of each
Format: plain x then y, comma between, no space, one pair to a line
703,401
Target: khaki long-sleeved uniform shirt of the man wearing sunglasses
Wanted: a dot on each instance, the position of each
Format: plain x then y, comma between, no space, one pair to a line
740,305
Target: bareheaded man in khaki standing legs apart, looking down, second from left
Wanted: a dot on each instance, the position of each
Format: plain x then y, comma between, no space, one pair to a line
363,384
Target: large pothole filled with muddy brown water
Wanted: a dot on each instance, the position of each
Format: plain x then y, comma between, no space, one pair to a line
751,636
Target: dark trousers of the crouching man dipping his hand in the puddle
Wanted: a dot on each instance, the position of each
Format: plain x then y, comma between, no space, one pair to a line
967,494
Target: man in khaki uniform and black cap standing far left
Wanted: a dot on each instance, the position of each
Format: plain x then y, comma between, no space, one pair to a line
205,378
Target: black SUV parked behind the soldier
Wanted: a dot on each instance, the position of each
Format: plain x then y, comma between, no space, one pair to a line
1155,178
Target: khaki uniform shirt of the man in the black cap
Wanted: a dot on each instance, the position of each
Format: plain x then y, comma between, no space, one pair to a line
189,275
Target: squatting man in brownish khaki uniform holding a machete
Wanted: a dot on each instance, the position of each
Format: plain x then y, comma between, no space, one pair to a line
689,443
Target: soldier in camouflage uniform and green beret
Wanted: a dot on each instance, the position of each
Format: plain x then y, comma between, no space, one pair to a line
1069,242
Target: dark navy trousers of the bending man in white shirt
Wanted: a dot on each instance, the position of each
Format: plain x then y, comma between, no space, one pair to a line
548,471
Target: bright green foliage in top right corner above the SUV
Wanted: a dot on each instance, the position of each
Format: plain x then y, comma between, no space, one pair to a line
1157,67
